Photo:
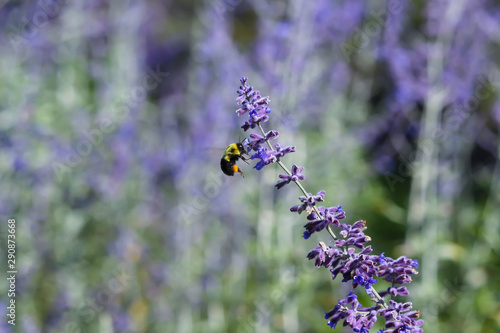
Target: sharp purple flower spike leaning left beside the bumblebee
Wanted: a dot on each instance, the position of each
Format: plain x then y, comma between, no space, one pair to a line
348,255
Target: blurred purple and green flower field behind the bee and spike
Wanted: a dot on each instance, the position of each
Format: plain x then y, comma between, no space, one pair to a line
114,116
